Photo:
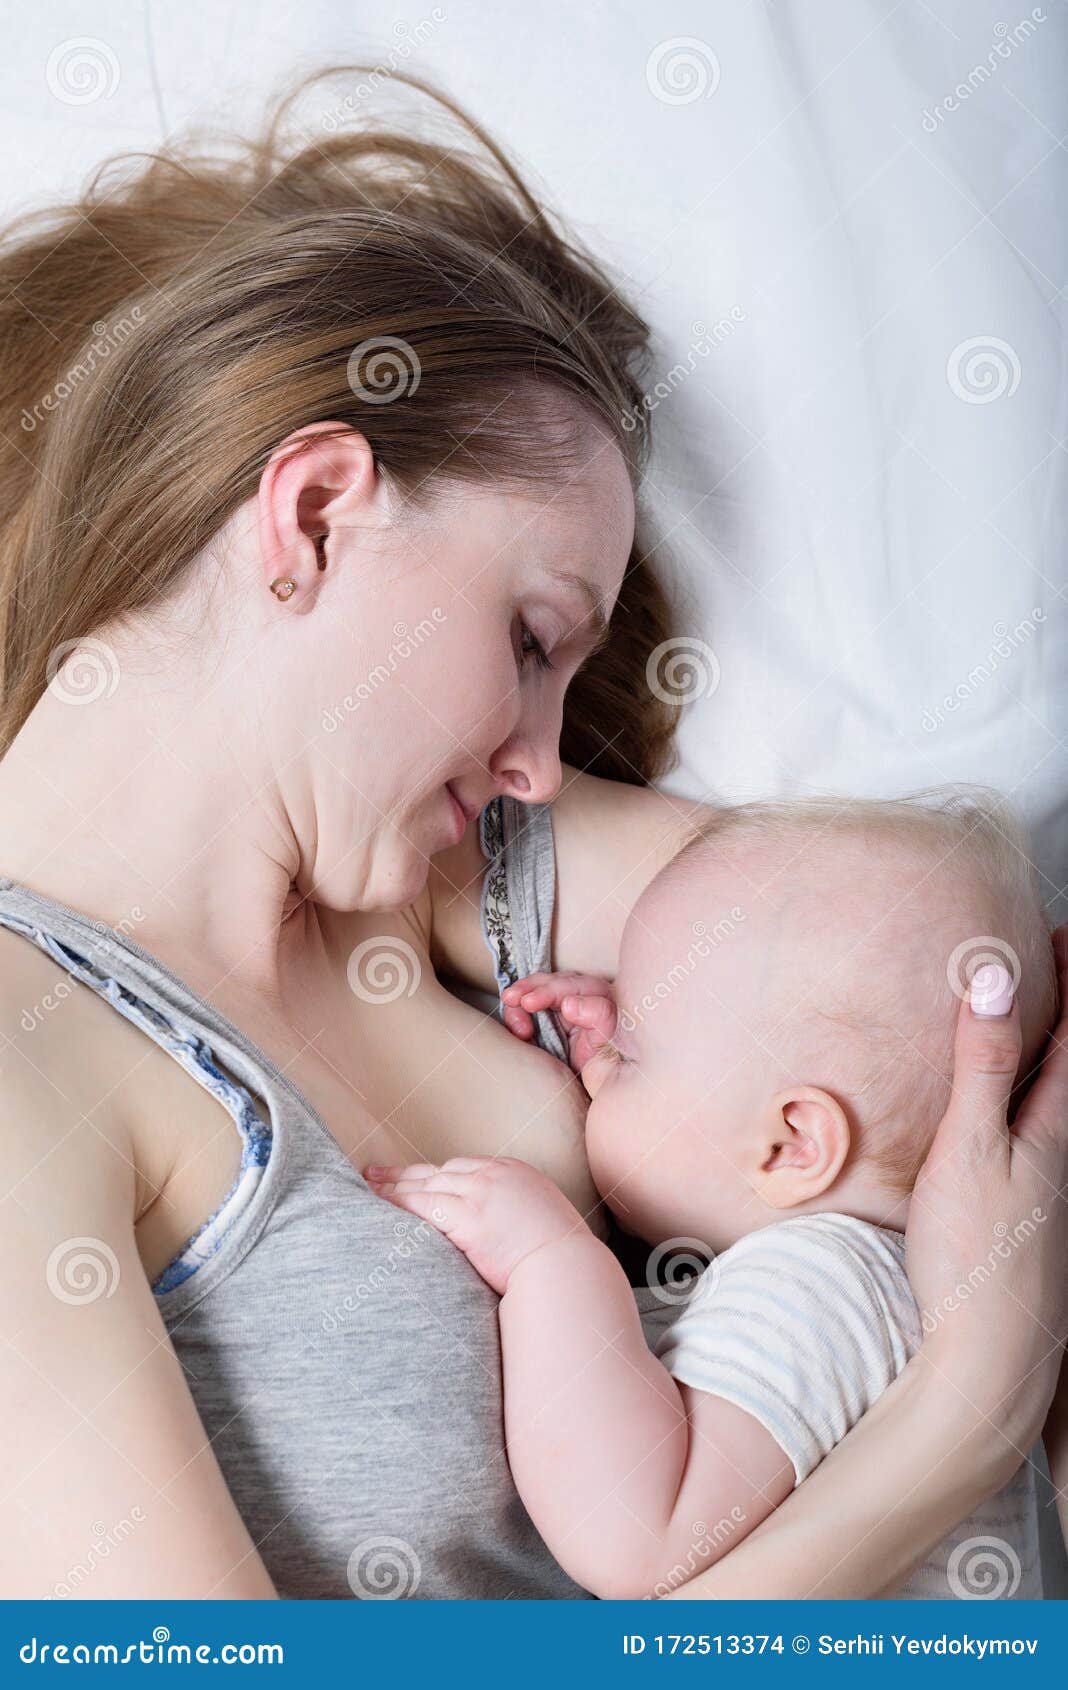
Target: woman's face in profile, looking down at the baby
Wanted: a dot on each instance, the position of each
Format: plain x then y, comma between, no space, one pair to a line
464,630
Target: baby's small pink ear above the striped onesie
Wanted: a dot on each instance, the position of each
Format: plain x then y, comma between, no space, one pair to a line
805,1140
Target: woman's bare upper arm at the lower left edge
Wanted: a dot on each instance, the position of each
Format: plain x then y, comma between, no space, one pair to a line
99,1424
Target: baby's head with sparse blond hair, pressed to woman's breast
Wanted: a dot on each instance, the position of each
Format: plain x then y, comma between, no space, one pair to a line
788,996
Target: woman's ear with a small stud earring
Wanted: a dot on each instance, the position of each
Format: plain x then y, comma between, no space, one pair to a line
320,477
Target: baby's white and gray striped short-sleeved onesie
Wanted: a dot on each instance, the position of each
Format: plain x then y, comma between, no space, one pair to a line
804,1326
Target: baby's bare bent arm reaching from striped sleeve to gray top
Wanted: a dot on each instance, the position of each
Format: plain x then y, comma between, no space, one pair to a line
633,1481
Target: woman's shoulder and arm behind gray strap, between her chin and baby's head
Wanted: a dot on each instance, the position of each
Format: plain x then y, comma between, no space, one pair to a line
611,841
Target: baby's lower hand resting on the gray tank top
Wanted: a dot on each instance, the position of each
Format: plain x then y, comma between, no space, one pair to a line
491,1208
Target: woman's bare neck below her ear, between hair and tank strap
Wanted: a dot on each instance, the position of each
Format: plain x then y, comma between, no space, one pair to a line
153,809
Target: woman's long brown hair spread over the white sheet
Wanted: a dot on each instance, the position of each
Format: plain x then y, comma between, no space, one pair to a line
165,334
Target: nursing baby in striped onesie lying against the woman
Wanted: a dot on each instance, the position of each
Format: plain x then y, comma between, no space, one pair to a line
766,1077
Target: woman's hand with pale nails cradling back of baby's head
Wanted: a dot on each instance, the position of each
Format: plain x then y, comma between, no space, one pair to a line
988,1235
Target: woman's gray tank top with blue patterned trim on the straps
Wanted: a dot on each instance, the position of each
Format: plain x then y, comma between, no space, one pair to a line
344,1358
